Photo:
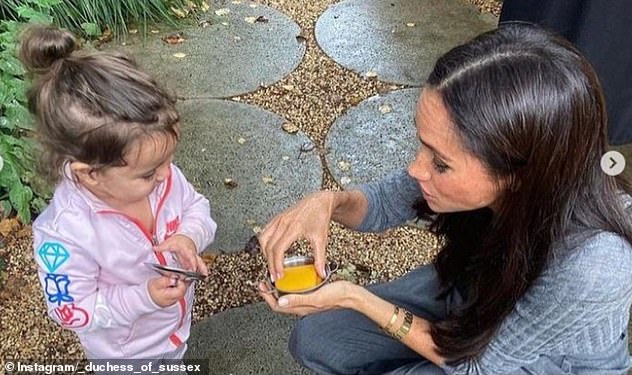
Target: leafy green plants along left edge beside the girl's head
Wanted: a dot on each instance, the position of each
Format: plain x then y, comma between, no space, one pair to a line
21,190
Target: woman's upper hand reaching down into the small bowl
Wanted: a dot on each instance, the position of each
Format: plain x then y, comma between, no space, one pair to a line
309,219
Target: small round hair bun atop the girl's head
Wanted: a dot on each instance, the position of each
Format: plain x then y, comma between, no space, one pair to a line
42,45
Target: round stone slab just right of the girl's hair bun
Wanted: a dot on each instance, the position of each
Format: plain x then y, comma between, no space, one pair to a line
242,48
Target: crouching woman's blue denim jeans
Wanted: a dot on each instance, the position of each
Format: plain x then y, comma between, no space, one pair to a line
346,342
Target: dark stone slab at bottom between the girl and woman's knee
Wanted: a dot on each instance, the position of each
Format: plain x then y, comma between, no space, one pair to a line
246,340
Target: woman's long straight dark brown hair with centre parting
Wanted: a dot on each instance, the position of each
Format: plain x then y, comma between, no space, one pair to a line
530,107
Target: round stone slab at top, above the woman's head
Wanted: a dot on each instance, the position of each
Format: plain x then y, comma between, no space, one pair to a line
398,39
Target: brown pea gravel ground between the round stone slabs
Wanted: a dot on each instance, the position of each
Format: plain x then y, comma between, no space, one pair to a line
29,334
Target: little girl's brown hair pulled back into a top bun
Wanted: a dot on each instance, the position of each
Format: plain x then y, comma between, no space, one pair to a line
89,106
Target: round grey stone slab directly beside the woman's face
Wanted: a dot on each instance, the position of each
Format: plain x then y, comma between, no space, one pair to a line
373,139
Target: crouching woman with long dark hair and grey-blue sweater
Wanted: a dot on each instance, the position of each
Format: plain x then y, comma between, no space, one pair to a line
536,273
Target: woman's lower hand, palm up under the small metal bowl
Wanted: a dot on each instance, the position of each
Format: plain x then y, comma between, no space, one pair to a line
334,295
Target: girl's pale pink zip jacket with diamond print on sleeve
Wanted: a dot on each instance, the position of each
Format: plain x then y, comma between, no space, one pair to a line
90,263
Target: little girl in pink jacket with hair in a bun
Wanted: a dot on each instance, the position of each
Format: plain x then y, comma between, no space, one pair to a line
109,134
